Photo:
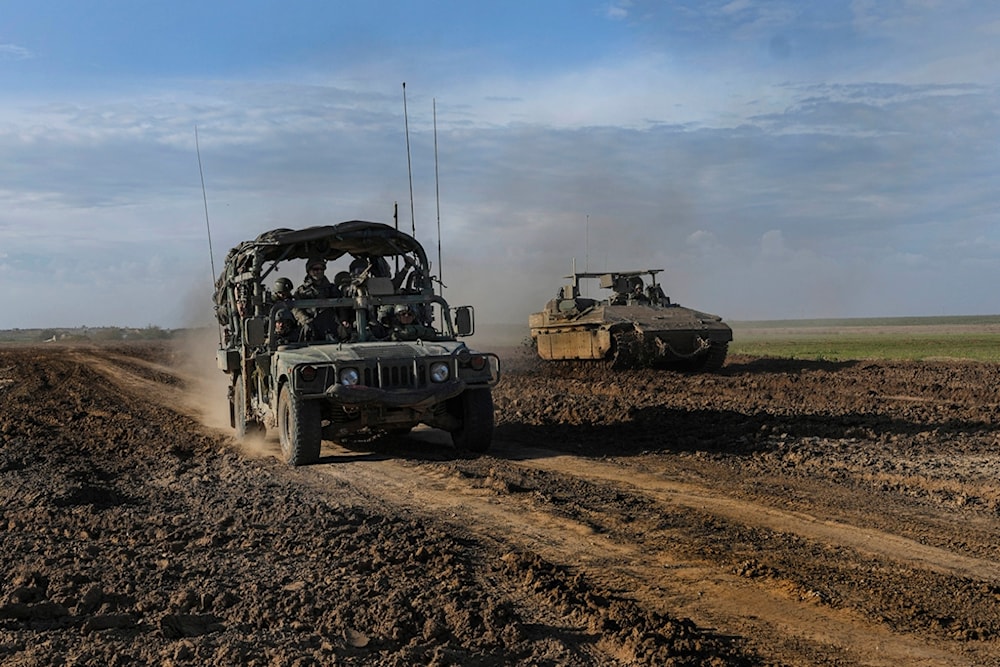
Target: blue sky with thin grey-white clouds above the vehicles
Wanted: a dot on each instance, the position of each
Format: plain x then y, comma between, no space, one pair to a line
778,159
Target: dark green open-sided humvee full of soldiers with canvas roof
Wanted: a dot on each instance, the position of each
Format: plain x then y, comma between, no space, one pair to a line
354,379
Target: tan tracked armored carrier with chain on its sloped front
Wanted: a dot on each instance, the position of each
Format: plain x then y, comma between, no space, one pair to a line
636,326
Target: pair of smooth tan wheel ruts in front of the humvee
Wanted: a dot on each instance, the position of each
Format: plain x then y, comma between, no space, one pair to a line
780,620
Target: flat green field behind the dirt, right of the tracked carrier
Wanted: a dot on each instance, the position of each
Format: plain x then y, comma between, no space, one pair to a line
975,338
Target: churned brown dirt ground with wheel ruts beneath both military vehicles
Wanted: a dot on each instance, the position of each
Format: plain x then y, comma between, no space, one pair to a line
778,513
